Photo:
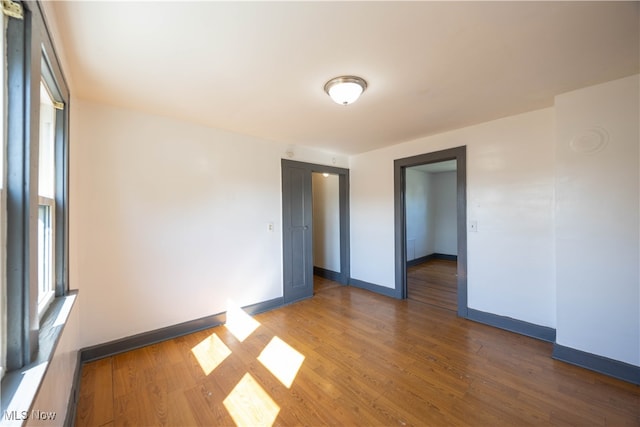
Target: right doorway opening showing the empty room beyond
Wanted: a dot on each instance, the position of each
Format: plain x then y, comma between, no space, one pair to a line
432,234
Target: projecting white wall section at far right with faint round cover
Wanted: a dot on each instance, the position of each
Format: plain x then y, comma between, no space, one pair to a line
597,220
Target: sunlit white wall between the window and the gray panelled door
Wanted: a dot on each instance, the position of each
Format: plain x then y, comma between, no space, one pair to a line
169,220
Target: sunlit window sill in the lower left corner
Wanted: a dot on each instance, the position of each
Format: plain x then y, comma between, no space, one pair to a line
20,387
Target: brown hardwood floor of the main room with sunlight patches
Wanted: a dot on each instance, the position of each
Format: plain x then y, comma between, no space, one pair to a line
351,357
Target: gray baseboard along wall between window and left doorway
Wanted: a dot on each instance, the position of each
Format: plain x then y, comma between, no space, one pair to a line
144,339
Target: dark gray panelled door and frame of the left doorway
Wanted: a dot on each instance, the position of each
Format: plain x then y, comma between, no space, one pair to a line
297,227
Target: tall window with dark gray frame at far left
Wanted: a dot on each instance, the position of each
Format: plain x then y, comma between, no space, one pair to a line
36,185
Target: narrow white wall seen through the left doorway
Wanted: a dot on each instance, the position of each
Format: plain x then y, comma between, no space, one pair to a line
326,221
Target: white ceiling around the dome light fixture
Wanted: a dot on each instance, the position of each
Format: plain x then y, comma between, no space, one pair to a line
259,68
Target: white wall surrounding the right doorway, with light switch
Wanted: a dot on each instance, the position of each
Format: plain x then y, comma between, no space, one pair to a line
510,187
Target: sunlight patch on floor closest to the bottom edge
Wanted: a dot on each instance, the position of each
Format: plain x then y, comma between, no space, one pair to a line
250,405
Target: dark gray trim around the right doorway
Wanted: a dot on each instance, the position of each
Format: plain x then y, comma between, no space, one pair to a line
459,154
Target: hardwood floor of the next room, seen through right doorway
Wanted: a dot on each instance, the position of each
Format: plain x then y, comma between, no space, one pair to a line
434,283
